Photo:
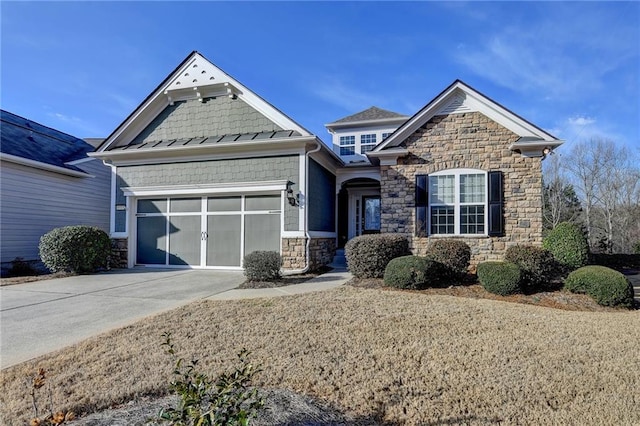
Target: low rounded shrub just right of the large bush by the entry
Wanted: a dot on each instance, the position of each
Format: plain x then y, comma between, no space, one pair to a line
413,272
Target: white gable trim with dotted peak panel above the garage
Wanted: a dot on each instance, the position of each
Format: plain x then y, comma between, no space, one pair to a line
194,78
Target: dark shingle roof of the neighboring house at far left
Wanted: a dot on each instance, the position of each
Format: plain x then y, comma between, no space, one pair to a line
33,141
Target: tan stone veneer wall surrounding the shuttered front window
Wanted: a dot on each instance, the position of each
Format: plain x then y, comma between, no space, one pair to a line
468,140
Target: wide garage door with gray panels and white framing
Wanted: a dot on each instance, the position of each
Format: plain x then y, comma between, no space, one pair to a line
206,231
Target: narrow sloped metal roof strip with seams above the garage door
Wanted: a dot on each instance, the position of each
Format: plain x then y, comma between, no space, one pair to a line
210,140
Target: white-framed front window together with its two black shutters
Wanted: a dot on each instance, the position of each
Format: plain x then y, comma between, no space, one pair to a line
459,202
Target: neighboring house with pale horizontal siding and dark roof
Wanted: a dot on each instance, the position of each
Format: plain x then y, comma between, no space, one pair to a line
46,181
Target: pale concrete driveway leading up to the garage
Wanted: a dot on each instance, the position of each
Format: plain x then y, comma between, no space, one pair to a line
43,316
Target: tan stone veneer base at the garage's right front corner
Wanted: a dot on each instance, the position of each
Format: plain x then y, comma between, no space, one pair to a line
321,251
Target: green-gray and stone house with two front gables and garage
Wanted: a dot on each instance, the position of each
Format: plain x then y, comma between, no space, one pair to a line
206,171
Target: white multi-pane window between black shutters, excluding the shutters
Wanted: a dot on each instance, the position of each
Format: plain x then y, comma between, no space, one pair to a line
457,202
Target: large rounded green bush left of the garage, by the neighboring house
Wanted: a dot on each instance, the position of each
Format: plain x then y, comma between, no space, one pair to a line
79,249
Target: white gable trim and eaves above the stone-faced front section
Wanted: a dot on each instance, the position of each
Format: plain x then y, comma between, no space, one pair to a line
461,98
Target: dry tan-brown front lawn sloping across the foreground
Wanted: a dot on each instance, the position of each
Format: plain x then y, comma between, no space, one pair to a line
380,356
